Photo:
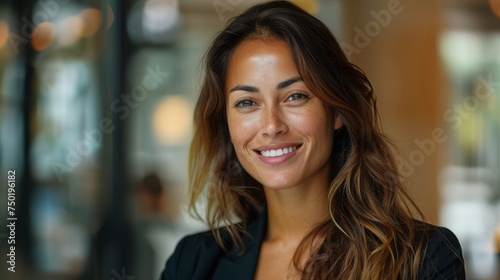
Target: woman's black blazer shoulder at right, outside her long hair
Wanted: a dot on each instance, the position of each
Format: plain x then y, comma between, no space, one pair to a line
443,255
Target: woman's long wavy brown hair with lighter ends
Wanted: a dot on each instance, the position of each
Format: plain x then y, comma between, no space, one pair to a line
371,232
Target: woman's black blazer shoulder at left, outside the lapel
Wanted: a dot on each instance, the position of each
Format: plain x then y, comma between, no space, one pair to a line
193,255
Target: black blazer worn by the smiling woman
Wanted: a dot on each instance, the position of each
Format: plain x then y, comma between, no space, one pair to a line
199,257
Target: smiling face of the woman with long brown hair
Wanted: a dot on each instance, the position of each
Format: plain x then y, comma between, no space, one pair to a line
281,132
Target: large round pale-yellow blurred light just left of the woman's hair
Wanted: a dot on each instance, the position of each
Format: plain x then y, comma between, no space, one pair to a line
172,120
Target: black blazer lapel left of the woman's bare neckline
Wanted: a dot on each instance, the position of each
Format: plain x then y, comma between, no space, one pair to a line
233,265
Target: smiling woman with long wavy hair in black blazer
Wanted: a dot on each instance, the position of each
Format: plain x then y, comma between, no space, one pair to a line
298,179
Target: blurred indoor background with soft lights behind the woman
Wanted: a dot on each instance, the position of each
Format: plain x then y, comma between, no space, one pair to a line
96,104
